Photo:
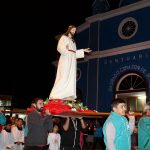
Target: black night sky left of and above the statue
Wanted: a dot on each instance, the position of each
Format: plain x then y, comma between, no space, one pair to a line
28,47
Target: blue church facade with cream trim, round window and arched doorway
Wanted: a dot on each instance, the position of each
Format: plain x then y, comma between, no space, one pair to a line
119,65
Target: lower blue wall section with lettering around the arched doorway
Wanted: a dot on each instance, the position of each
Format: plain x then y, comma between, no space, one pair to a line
112,67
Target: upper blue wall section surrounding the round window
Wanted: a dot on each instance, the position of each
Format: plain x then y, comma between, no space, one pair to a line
108,32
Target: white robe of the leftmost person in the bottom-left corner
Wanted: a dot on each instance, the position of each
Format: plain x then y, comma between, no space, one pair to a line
6,140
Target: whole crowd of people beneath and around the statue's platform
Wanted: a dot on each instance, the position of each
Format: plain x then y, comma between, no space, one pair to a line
39,131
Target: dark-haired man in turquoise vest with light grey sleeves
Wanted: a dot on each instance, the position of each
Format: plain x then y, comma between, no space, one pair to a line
116,129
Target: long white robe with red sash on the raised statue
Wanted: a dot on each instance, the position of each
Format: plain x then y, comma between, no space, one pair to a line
65,82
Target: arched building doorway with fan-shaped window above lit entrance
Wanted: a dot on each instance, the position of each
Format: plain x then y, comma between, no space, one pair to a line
133,89
